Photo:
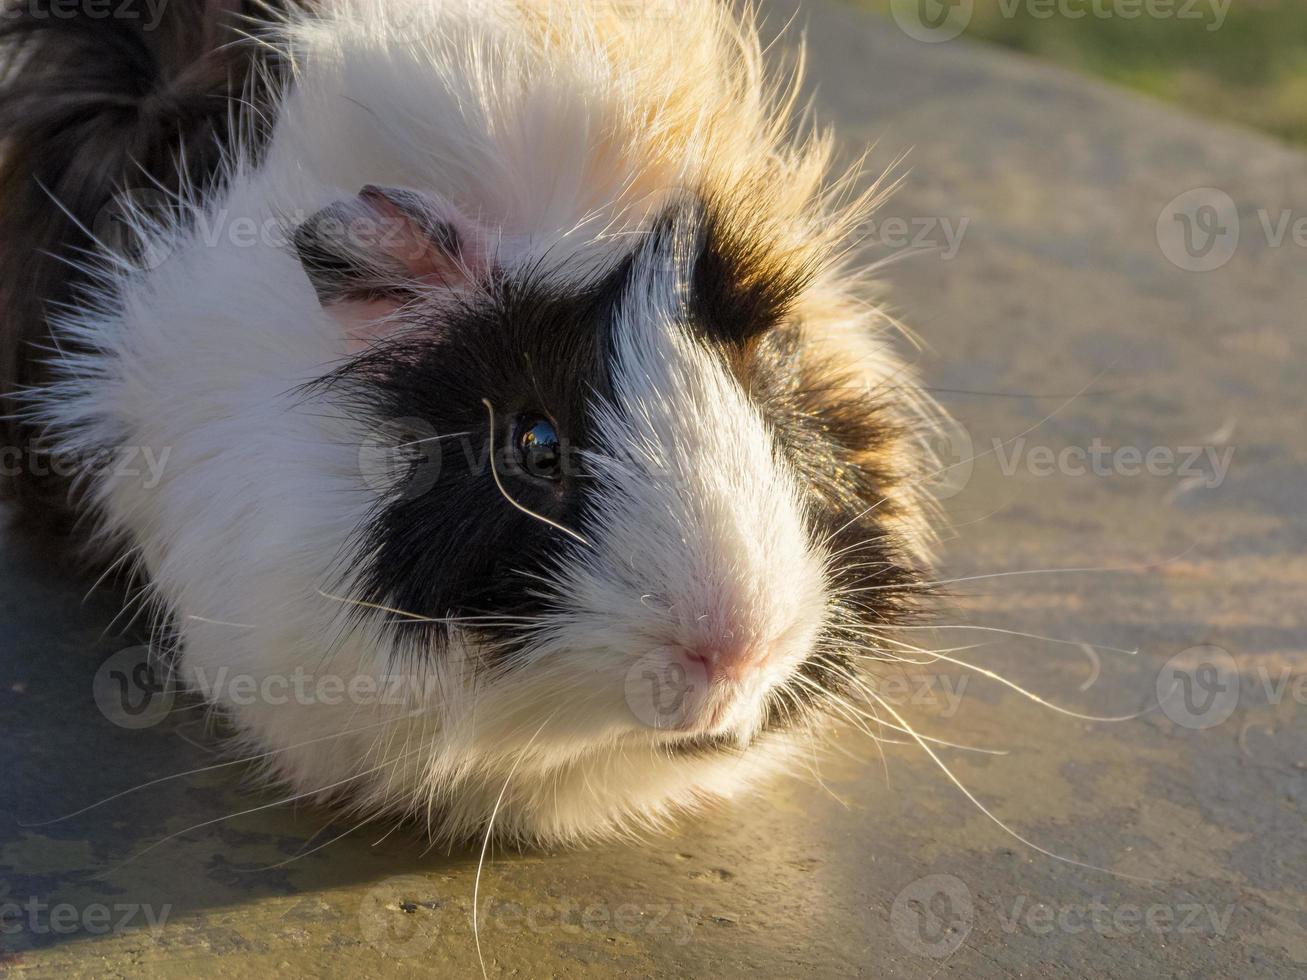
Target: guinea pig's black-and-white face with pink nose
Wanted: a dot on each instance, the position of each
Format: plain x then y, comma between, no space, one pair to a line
635,510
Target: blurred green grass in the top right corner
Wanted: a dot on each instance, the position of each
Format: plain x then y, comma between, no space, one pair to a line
1244,61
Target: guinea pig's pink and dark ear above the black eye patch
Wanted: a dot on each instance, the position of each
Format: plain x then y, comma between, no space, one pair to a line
385,249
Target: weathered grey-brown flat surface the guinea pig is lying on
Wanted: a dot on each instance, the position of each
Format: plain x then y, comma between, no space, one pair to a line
1057,322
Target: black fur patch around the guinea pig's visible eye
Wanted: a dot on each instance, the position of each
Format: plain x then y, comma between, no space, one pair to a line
450,546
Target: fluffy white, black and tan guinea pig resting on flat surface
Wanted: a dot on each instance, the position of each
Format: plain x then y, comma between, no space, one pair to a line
531,459
